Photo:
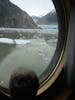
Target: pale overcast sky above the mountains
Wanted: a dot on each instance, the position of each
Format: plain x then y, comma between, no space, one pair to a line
35,7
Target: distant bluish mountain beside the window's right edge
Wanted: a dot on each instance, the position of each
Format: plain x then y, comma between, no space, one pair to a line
50,18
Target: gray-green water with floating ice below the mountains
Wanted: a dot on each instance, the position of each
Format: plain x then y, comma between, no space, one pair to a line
29,48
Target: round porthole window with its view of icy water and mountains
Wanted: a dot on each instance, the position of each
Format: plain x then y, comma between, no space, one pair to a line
30,37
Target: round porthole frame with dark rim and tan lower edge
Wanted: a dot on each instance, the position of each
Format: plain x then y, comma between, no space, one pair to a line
57,63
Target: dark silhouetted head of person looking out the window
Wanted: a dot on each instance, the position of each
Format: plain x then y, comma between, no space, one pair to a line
23,83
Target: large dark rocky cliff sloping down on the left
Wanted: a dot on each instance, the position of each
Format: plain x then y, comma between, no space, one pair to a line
12,16
